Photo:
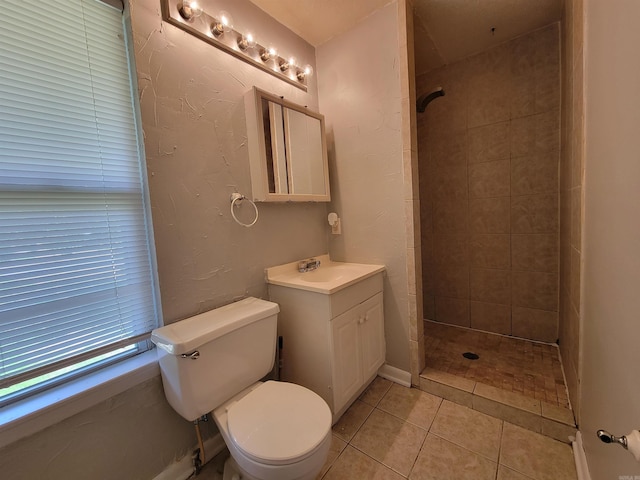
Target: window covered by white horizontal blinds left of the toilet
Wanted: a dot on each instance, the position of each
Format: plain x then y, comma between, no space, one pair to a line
77,285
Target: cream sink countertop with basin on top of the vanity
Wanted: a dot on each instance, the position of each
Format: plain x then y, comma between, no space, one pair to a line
328,278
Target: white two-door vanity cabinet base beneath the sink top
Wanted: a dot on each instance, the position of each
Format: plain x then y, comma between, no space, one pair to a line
333,343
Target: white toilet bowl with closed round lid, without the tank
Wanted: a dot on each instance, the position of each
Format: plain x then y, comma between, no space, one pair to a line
275,431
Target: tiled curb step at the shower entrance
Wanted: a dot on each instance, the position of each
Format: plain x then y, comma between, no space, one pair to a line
540,417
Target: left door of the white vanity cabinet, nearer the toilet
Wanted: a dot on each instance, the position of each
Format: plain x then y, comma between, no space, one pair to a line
347,367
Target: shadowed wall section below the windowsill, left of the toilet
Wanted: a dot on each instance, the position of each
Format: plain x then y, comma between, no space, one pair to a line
133,435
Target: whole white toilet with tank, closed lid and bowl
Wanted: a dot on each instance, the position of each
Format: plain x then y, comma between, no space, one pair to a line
214,362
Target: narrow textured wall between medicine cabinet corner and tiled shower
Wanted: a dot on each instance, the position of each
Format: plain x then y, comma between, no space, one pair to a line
360,96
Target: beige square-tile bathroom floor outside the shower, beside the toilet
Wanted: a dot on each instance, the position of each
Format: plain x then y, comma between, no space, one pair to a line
393,432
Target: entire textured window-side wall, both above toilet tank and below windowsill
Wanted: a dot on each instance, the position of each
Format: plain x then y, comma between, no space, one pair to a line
195,142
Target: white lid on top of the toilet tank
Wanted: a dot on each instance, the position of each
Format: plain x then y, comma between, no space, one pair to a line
187,335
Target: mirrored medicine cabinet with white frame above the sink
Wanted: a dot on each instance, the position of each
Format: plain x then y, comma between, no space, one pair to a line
287,150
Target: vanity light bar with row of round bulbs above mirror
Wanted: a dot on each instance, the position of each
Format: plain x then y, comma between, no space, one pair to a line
188,15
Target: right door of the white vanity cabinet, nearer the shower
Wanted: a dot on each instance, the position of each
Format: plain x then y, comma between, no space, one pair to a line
371,334
